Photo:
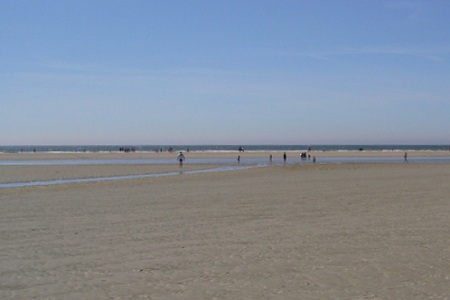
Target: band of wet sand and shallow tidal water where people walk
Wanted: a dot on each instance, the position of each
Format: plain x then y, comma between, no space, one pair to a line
41,167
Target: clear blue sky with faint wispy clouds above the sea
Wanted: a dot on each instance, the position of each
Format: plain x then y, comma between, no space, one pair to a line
113,72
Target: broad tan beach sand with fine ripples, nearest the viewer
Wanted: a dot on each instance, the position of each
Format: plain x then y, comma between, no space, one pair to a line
347,231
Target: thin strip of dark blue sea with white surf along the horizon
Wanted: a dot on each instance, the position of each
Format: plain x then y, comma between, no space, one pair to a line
218,148
